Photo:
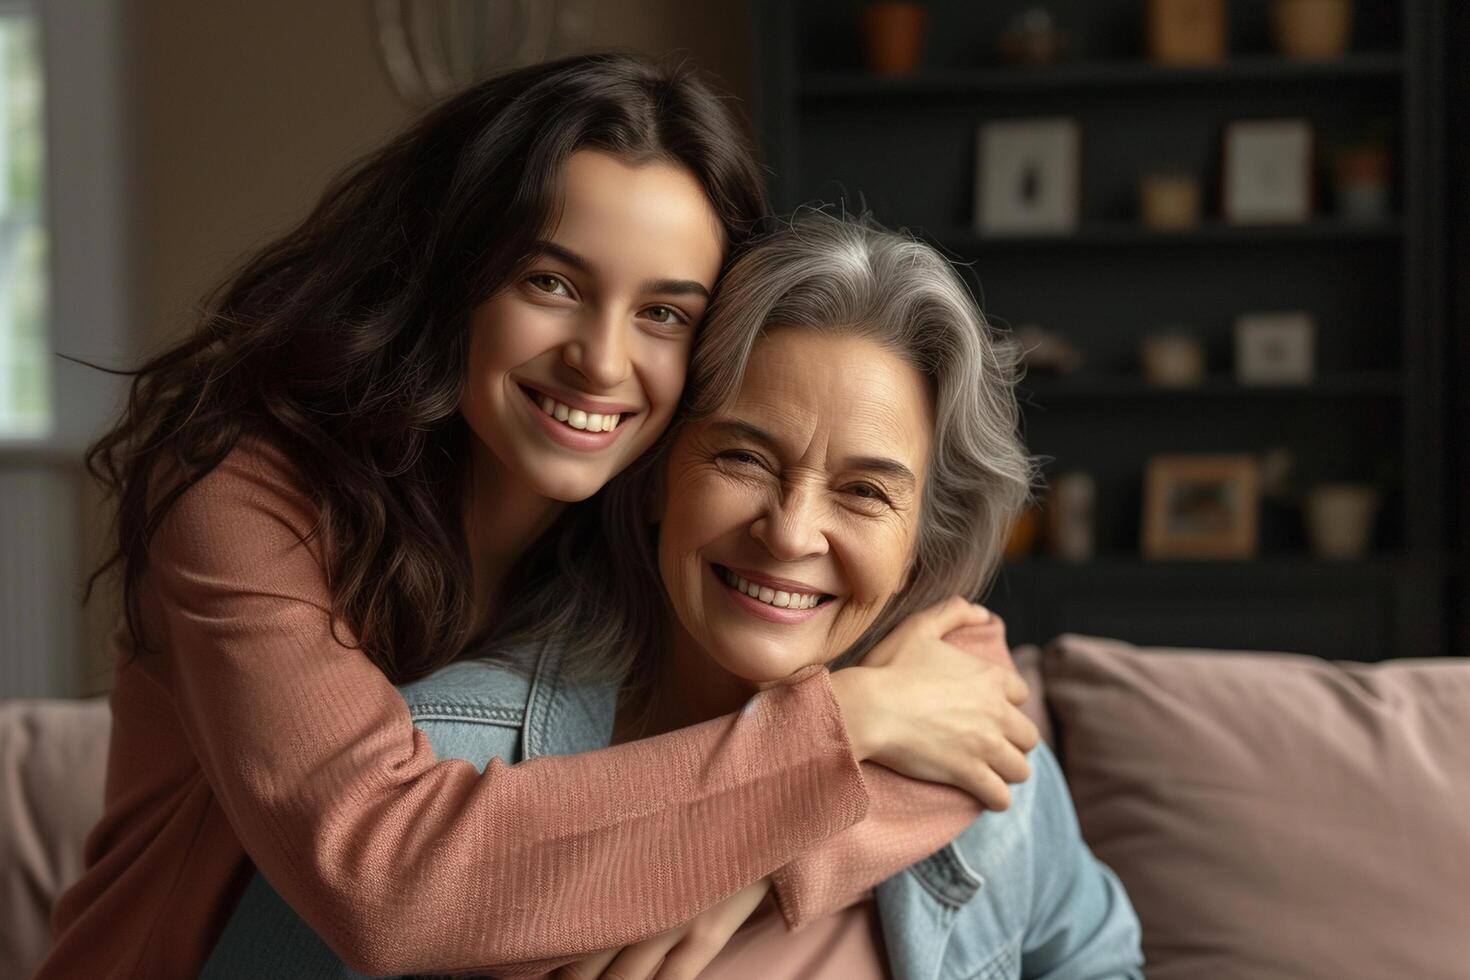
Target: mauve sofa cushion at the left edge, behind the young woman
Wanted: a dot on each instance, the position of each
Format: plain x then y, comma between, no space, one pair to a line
54,762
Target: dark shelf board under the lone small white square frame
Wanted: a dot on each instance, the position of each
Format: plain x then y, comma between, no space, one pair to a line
1125,387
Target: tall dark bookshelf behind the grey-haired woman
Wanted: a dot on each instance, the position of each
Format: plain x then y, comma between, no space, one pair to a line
905,149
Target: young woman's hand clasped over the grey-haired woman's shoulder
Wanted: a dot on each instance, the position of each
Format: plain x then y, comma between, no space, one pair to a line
930,710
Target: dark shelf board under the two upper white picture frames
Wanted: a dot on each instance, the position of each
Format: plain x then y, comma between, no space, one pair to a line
1134,236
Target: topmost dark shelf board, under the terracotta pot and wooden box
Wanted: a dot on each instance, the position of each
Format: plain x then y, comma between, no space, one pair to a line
1091,76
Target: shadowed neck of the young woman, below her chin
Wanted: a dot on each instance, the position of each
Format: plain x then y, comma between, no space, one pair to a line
502,519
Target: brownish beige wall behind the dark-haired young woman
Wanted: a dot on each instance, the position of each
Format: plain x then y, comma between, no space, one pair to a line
239,114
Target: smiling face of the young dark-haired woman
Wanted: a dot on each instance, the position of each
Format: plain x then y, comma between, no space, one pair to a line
577,365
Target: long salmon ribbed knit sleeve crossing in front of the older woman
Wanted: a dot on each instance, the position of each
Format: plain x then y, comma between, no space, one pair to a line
406,863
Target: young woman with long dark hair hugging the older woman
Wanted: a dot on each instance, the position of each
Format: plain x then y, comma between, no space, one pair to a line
330,489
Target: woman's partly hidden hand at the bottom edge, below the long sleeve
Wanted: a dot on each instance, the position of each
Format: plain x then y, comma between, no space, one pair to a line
678,954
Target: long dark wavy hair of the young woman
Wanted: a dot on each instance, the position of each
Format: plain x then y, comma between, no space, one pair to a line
345,342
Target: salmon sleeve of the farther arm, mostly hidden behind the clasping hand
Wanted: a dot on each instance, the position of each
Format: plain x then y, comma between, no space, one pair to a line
908,821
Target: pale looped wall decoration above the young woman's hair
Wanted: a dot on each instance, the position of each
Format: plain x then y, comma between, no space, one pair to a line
436,48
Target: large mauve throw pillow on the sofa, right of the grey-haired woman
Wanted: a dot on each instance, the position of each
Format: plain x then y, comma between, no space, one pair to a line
1275,816
